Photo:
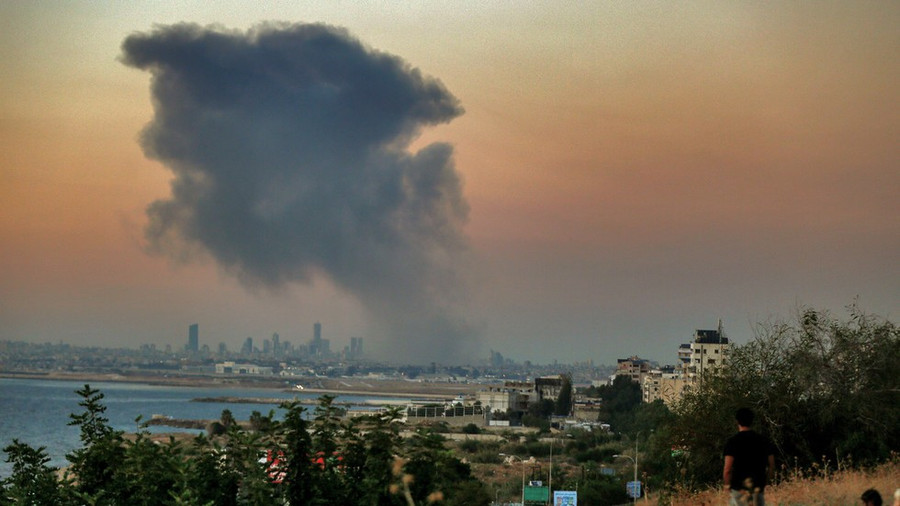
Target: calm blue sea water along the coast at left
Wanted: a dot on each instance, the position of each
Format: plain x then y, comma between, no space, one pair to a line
36,411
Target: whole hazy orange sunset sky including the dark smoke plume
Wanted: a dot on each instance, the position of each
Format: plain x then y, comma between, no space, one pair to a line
557,182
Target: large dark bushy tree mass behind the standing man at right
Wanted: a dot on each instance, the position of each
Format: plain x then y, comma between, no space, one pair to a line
820,387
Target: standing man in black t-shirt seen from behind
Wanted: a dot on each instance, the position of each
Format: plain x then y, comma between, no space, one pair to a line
749,463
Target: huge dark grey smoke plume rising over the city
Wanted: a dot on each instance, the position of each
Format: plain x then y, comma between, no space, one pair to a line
290,150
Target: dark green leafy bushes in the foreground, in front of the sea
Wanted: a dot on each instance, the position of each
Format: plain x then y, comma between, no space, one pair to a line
294,461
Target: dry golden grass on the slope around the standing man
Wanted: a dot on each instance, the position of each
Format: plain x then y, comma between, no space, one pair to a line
821,487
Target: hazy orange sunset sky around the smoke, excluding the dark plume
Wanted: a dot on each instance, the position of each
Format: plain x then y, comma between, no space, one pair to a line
629,173
